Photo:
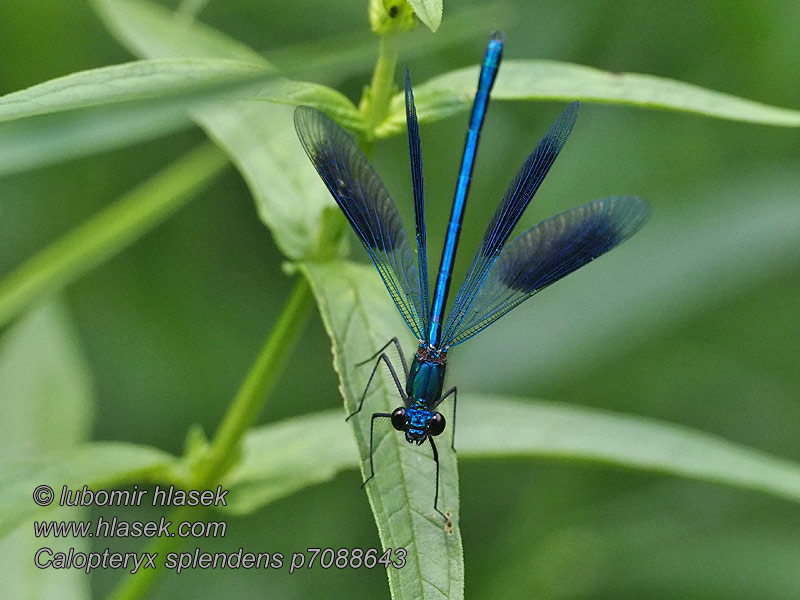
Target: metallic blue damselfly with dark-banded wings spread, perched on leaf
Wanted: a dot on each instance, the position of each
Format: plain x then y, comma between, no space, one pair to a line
497,280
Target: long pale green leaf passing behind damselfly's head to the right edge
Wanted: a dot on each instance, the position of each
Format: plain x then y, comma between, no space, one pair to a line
311,449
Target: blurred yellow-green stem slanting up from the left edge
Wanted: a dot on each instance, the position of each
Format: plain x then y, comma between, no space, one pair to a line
110,231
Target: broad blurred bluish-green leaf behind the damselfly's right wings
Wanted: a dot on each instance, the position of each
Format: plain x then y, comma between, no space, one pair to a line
685,263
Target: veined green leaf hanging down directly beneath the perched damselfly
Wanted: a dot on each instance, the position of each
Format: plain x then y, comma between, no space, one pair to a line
360,319
